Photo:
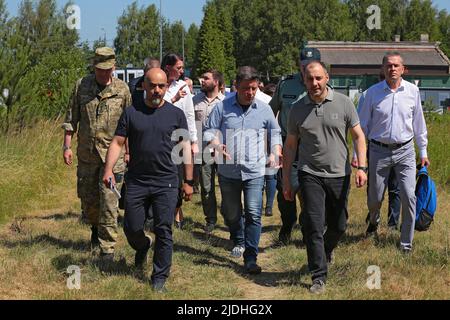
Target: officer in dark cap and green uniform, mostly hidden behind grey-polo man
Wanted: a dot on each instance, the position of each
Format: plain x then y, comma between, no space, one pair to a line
289,91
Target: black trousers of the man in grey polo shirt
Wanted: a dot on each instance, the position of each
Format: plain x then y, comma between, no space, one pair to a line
324,202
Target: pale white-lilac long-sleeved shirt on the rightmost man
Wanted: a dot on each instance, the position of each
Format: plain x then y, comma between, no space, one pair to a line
392,117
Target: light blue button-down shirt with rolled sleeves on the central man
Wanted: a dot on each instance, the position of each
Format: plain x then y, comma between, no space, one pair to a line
244,134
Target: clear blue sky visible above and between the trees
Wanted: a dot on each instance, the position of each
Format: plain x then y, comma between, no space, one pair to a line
99,17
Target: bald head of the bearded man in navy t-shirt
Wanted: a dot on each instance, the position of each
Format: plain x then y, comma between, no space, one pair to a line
155,86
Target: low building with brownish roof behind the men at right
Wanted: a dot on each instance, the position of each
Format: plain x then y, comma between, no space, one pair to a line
355,66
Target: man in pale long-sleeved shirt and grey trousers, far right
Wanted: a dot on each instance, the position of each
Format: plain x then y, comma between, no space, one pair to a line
392,117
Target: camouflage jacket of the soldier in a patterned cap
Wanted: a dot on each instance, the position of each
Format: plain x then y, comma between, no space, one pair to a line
93,114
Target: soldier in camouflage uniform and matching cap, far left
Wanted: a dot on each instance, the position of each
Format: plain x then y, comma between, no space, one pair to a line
94,110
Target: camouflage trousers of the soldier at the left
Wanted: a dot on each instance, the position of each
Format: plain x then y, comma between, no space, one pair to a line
99,204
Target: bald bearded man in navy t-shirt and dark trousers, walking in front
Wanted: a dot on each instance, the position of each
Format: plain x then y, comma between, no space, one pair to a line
153,130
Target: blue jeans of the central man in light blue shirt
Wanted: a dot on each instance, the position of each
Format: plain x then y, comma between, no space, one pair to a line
245,229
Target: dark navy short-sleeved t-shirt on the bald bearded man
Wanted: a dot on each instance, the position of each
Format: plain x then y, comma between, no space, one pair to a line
149,133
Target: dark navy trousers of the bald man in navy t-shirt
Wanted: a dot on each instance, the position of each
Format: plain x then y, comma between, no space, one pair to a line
140,196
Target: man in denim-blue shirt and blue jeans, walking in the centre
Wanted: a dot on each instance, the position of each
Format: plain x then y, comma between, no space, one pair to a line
236,129
